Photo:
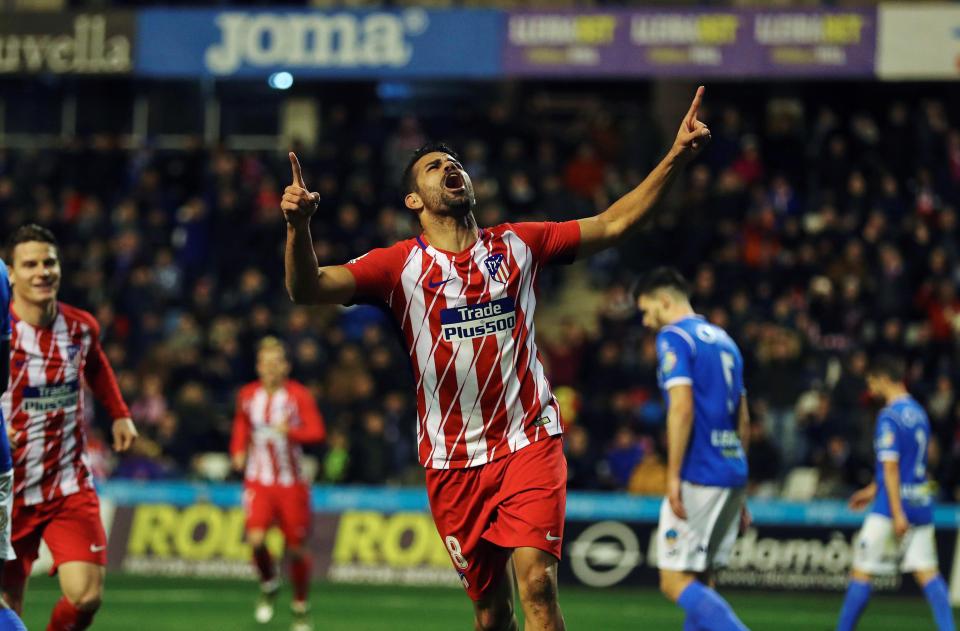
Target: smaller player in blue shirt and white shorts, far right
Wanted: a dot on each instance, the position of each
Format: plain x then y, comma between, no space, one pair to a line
898,531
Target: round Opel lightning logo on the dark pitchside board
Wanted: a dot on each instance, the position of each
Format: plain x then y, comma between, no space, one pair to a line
605,553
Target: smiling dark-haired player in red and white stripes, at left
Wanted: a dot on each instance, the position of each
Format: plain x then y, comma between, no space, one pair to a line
55,350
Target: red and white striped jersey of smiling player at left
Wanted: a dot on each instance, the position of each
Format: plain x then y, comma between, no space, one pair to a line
45,404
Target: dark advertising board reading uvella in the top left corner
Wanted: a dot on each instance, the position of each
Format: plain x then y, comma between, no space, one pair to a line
90,43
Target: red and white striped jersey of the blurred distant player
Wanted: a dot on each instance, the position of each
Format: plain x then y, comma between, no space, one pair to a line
273,457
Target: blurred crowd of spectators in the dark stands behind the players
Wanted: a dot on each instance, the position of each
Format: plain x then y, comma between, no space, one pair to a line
815,235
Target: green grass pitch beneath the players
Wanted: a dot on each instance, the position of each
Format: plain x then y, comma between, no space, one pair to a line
168,604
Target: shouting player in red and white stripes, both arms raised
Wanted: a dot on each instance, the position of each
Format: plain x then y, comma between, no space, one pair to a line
488,424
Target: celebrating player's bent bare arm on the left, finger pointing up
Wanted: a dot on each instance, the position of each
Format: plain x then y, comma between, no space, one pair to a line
307,282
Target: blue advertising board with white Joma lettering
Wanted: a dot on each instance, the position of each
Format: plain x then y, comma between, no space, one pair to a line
346,44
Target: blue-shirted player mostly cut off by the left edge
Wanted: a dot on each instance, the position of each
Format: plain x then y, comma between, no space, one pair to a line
9,621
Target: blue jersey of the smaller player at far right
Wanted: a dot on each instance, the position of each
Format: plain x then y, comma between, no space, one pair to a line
903,433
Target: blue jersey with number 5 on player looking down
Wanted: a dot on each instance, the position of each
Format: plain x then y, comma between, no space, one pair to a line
694,352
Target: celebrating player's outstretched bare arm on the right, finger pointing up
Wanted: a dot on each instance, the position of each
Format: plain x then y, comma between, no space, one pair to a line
618,221
